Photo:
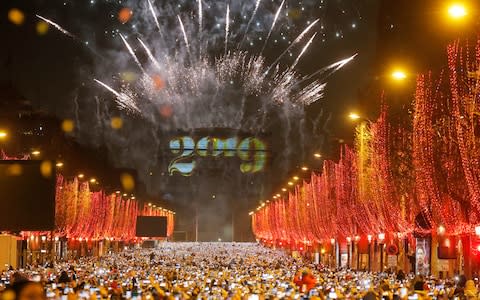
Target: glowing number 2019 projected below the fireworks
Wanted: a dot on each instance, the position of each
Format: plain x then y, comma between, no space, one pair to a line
251,151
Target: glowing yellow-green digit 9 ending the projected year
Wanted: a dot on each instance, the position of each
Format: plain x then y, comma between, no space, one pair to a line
252,152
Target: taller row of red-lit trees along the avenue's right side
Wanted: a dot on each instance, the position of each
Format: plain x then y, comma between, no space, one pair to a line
421,174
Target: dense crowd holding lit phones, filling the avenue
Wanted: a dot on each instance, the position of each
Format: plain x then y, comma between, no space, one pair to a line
216,271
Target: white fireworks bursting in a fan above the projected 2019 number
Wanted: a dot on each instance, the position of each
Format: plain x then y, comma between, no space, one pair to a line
203,88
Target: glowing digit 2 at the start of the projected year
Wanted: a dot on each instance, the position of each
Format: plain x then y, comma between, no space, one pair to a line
183,146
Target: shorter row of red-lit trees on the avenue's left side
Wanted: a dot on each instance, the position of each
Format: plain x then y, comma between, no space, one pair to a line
85,215
